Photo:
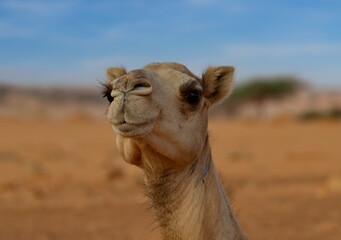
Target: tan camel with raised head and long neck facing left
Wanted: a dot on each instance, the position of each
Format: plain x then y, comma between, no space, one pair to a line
160,115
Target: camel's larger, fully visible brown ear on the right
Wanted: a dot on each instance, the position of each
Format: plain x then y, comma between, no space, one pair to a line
217,83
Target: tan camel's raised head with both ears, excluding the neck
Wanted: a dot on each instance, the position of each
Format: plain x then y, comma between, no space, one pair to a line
160,112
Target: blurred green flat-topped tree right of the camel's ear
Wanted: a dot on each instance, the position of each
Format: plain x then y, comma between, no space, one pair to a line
261,89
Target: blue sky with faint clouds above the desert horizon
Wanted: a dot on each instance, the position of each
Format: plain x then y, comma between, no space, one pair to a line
73,41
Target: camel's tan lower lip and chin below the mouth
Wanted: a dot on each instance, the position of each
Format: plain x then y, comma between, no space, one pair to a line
133,130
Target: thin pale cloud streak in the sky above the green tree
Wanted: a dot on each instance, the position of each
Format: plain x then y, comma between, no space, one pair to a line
280,50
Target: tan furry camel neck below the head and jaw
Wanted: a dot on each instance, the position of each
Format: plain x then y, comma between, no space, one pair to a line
191,204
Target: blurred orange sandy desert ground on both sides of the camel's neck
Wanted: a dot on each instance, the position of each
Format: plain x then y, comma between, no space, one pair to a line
64,179
